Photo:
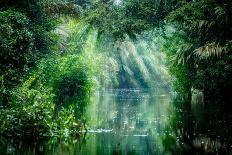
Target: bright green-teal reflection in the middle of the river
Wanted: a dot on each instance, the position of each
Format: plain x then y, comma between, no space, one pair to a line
127,122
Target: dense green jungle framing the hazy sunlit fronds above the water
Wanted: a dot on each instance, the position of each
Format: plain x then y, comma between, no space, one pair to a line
47,58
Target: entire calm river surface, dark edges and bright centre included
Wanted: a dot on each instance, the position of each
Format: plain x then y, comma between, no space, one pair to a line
139,122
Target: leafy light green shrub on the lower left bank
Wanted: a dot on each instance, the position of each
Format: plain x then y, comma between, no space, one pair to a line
29,115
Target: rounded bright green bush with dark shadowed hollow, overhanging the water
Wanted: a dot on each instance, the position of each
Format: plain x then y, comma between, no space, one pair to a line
69,77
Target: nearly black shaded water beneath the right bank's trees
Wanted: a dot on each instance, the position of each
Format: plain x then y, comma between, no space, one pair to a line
201,129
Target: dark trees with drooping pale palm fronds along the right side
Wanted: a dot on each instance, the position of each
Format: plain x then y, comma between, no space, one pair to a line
206,51
